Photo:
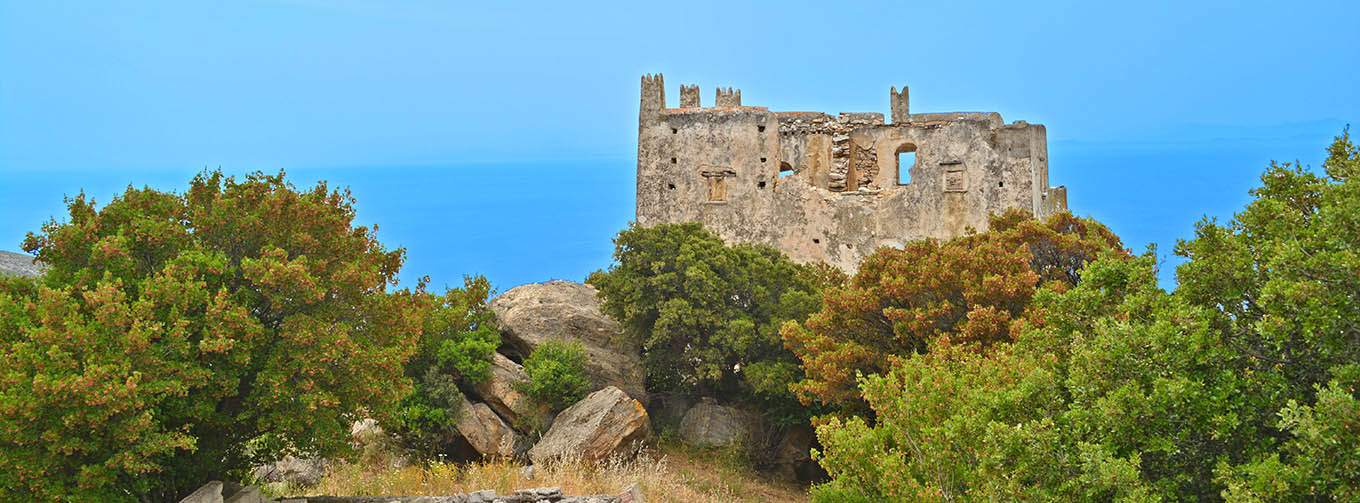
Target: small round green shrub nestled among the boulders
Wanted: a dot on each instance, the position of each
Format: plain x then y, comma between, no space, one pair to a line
557,375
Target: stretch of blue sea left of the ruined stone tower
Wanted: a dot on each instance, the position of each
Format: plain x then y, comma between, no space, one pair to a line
516,224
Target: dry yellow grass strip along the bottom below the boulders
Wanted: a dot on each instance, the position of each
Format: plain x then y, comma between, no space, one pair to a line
664,475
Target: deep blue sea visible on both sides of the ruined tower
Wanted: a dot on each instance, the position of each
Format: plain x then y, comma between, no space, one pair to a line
527,222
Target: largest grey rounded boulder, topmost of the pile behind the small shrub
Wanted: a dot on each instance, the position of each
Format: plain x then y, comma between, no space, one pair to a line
571,312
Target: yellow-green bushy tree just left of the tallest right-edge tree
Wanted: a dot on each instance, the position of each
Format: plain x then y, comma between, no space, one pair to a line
1116,392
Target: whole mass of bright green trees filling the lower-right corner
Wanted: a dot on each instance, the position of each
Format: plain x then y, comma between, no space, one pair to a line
1240,387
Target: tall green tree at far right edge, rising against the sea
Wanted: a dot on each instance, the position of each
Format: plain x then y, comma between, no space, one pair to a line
1283,283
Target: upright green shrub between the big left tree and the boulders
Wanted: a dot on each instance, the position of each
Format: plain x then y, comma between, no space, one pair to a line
456,346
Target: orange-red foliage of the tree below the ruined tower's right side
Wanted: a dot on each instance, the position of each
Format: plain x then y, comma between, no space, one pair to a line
968,293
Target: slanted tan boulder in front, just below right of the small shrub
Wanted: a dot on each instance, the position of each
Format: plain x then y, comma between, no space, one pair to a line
602,425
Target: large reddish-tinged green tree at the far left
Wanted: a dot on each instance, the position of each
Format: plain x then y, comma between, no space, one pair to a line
183,338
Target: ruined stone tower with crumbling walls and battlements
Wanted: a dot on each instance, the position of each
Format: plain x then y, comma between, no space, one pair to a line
833,190
